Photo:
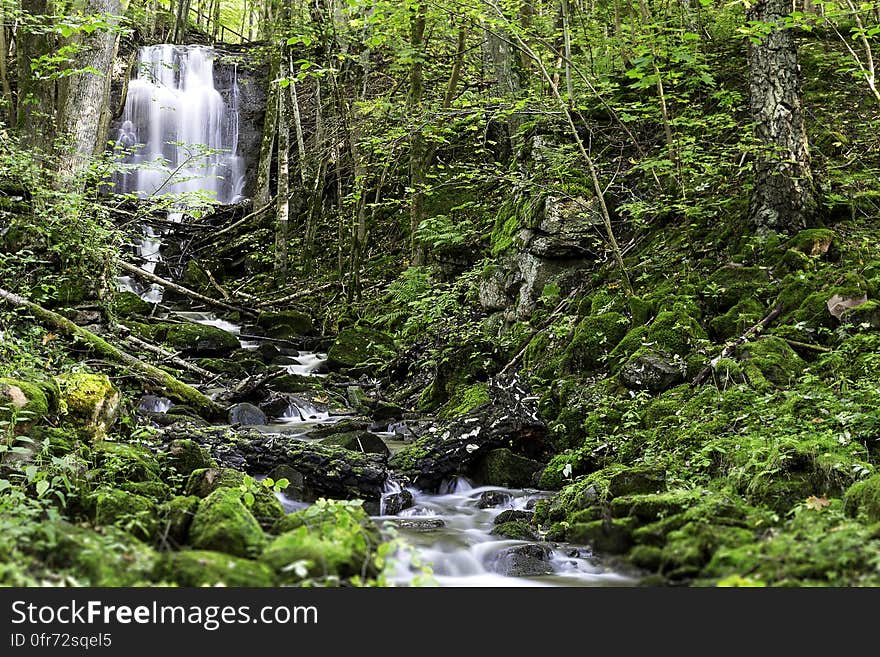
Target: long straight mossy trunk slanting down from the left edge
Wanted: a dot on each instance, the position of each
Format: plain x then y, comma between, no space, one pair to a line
172,387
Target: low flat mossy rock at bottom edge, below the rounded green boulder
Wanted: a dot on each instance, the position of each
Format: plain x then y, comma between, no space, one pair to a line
208,568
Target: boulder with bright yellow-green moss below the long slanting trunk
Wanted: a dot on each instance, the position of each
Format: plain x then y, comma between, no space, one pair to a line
89,400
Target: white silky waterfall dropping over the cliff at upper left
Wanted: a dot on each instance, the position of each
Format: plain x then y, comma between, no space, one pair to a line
178,135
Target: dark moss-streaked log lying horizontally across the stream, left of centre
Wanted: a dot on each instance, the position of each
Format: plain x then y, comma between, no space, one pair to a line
326,471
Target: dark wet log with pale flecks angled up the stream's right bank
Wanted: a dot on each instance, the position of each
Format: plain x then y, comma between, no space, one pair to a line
510,419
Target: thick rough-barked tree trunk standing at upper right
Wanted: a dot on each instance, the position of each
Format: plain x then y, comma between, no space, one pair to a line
783,199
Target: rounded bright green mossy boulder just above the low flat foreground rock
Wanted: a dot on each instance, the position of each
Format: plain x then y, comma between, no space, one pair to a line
223,523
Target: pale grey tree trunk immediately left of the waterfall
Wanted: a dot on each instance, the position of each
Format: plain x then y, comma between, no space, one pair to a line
85,97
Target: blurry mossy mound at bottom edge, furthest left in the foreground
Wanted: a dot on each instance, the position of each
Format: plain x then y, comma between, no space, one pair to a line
111,557
